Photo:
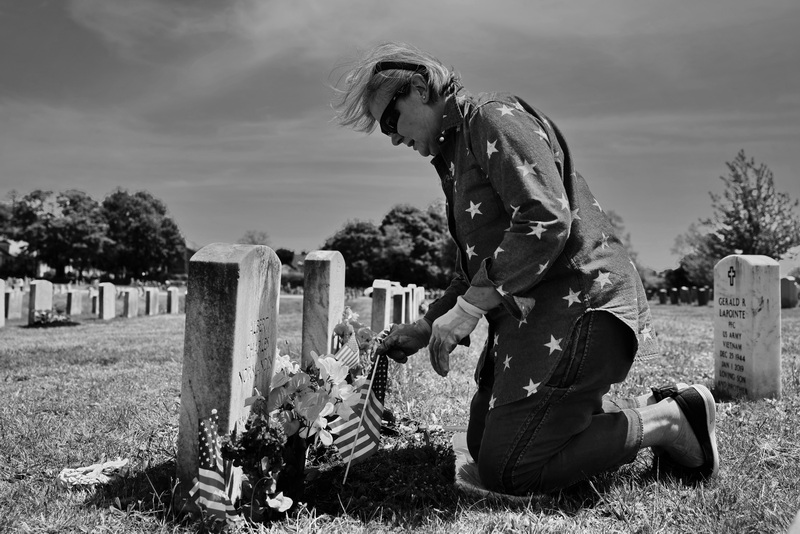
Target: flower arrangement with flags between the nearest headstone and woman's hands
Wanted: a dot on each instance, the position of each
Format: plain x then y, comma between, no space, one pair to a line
306,412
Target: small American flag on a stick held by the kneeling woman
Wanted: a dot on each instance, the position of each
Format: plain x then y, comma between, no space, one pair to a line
359,435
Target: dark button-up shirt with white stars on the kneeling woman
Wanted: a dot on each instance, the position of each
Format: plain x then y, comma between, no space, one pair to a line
526,223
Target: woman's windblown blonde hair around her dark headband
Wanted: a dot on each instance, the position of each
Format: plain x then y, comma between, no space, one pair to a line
362,83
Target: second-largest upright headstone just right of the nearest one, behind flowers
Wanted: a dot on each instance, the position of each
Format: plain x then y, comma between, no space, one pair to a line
323,301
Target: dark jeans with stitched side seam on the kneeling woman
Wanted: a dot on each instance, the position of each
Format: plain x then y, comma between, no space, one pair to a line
566,431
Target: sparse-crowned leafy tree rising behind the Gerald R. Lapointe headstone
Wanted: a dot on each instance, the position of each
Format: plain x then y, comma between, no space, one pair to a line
750,217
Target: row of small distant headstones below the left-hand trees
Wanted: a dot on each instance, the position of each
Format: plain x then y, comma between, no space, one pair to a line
40,299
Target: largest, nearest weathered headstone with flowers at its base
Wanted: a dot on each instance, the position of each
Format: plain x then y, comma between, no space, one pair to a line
229,345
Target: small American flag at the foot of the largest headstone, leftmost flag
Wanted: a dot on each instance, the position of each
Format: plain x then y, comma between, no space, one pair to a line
209,487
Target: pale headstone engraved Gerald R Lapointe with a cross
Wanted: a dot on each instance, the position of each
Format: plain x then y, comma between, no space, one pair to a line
747,326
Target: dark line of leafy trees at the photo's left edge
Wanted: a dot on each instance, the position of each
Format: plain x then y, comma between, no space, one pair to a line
127,235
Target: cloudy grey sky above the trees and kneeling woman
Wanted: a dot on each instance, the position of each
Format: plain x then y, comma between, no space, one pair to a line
222,108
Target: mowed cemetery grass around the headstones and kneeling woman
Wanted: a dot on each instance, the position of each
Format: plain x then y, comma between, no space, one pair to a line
74,396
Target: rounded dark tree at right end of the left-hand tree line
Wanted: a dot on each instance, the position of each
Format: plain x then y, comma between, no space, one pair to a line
145,240
